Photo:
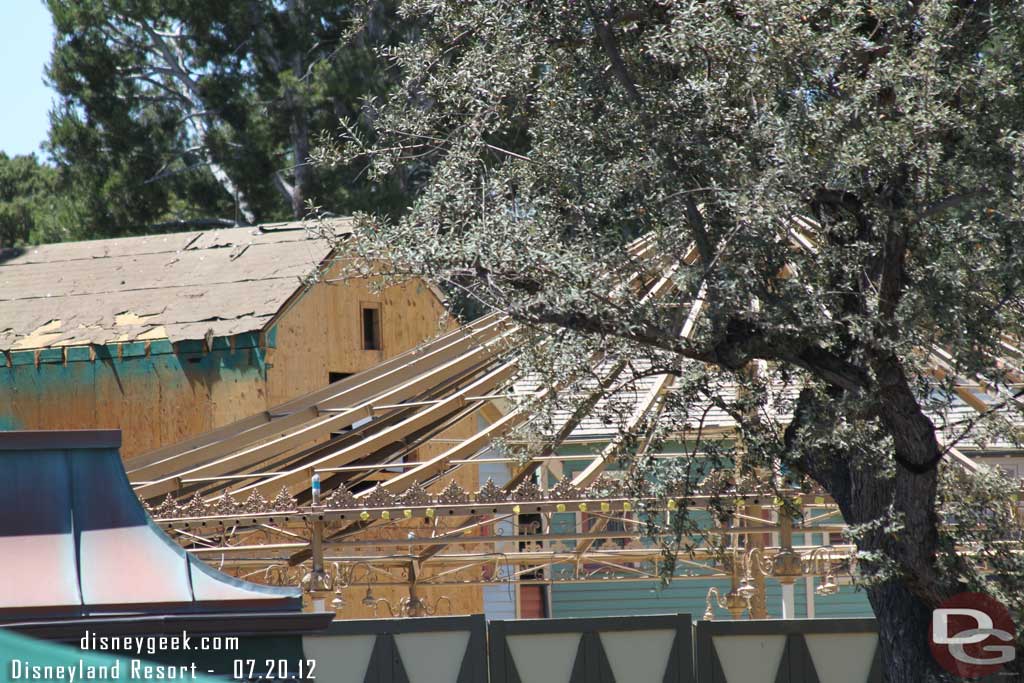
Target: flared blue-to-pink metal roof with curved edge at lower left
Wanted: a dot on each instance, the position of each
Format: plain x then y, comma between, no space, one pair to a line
102,508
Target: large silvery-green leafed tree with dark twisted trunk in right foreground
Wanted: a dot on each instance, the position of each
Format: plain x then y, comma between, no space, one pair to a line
888,135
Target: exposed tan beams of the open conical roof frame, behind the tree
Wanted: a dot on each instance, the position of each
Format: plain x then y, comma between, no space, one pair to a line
408,401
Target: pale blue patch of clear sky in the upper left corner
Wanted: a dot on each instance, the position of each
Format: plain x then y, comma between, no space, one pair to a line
26,34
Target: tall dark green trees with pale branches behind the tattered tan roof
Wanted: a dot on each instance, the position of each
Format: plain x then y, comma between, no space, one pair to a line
190,111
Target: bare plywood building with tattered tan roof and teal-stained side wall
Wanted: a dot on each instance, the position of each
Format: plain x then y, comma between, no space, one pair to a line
280,334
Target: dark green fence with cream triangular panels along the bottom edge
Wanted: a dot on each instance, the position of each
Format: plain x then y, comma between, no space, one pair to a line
638,650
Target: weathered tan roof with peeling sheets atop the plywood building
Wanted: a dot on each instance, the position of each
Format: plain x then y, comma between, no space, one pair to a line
182,286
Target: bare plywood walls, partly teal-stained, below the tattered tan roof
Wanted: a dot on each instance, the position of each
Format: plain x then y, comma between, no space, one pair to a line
159,394
